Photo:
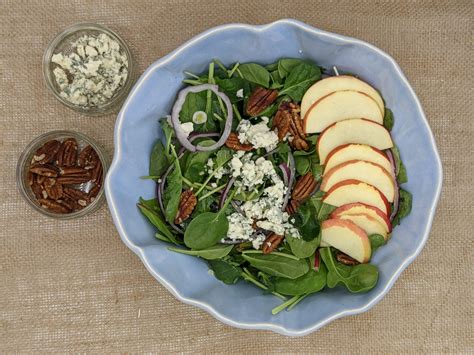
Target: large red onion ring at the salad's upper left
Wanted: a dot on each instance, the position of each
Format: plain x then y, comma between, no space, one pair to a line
181,136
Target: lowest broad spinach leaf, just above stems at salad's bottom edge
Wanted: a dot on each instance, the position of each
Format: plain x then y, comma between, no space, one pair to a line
312,281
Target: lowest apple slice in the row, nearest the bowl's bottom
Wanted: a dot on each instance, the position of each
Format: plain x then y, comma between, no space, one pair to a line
347,237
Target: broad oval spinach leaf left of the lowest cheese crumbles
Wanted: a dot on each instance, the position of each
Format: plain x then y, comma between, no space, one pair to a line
205,230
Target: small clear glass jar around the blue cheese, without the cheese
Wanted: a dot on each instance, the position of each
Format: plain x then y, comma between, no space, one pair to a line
63,44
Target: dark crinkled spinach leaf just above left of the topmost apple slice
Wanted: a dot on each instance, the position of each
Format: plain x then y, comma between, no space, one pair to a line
301,77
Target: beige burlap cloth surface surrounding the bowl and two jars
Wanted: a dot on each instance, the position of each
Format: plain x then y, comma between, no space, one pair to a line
73,286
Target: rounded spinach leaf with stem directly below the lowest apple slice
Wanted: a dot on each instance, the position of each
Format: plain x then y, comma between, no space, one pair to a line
358,278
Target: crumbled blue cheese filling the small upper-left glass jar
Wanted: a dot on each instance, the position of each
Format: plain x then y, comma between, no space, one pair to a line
93,73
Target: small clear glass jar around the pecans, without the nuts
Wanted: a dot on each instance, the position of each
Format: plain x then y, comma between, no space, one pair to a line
24,164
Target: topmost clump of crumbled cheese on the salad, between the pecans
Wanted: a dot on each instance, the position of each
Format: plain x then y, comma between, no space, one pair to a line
259,135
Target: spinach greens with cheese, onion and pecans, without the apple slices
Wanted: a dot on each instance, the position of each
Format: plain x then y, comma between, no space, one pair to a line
226,183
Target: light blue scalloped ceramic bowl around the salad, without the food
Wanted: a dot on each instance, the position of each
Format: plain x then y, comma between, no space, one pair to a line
243,305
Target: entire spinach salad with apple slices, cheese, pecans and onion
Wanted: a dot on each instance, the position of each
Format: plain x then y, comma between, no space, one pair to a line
283,176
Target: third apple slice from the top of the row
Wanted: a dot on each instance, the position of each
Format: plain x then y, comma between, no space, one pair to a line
357,130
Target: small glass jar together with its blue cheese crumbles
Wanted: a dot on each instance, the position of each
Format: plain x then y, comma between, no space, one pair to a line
89,68
